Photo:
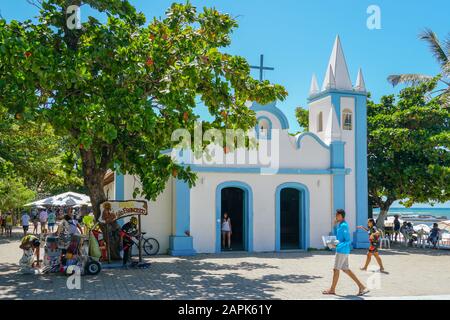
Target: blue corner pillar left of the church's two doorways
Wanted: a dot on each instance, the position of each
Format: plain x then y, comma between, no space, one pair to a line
180,243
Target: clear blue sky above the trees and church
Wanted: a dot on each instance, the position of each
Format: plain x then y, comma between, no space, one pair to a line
296,38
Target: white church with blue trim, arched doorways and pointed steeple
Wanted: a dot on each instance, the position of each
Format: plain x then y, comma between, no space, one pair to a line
289,206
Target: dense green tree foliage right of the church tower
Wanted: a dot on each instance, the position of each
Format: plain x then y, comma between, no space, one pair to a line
409,143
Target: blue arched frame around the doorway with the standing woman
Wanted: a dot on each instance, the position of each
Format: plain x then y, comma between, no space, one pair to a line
248,213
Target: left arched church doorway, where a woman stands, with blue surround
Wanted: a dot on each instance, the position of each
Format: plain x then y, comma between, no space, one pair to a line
236,199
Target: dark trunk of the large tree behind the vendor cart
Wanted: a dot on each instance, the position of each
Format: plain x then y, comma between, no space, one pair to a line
93,180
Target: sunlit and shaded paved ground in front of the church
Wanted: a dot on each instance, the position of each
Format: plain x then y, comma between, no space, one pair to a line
413,273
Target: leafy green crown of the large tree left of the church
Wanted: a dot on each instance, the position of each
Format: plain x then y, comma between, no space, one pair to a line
119,89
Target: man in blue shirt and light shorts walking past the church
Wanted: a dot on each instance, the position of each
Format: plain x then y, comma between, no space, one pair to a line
343,248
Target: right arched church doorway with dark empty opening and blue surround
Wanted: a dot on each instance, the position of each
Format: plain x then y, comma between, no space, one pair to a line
292,217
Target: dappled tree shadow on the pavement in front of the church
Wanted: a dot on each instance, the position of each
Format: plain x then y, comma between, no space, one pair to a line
193,279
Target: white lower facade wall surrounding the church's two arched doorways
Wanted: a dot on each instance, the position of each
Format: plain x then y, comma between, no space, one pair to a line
203,208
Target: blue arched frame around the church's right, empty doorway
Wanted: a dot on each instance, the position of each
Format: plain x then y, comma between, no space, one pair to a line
304,214
